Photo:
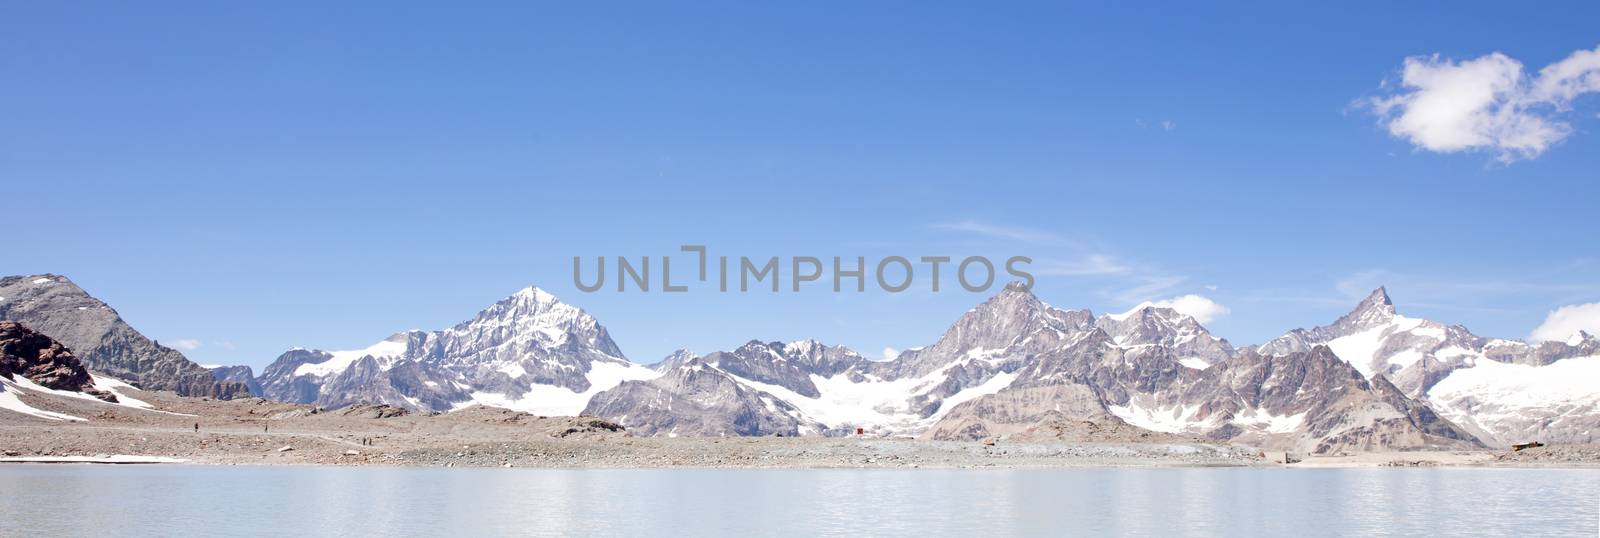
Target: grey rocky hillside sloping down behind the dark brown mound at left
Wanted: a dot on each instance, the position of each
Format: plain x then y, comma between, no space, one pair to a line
102,340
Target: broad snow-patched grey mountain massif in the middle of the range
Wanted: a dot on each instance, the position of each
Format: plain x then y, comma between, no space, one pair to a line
982,355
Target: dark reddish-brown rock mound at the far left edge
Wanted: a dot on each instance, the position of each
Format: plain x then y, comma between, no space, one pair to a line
44,361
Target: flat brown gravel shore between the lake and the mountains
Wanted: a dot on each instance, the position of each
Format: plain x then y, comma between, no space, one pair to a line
257,432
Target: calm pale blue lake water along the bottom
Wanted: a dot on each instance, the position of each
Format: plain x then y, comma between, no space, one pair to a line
366,502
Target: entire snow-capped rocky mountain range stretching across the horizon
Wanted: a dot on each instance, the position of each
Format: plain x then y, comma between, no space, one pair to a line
1010,367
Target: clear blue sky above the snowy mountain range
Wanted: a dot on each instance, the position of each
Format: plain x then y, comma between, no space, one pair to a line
254,180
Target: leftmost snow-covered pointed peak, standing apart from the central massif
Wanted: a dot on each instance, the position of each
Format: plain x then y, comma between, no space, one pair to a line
529,353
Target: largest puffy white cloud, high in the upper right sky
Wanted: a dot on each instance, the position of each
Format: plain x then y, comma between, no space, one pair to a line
1487,103
